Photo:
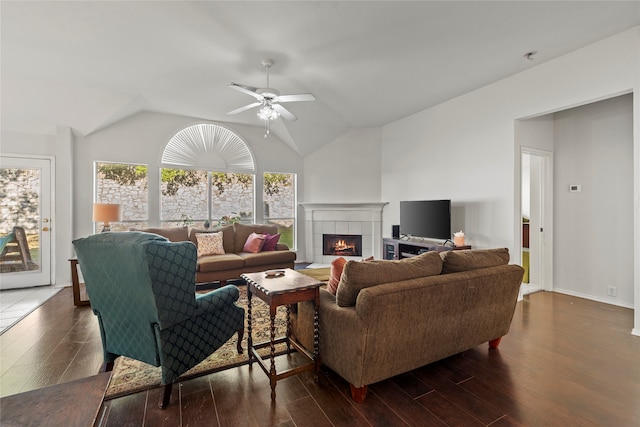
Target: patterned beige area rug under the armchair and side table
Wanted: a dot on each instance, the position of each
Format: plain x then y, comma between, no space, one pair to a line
131,376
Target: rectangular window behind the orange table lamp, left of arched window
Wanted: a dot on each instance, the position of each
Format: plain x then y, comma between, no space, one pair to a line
125,184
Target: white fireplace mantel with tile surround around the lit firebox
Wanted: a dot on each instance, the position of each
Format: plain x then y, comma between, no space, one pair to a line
363,218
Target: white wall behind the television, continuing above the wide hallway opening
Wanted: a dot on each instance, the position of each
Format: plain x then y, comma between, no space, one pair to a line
465,149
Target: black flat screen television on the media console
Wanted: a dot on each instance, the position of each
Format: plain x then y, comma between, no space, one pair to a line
426,218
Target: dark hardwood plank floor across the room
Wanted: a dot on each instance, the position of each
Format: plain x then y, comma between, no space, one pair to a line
566,362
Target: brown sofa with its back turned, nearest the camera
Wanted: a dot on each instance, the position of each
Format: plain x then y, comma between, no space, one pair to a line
390,317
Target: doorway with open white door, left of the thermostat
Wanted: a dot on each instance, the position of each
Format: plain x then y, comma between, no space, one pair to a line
537,219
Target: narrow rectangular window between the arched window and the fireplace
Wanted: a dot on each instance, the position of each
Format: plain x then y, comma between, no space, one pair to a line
279,196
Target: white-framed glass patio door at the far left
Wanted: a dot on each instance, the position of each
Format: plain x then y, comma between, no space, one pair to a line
25,221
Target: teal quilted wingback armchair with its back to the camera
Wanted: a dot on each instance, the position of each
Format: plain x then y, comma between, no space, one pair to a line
142,288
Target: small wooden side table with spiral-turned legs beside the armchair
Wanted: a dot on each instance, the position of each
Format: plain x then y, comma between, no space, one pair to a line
289,288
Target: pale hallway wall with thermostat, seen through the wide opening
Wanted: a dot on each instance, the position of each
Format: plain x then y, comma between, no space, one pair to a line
593,242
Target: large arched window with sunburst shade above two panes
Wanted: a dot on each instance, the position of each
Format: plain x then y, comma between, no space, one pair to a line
208,174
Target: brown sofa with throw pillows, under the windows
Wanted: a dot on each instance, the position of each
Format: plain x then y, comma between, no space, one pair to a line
234,261
